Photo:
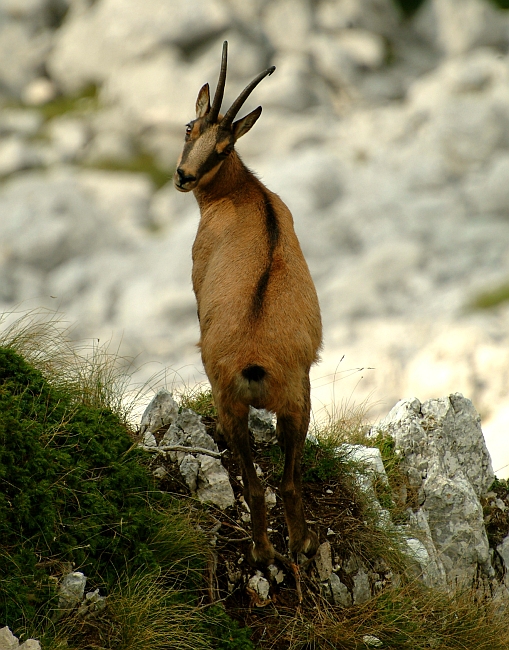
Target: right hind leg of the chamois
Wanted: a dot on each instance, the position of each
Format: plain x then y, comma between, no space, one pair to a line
291,431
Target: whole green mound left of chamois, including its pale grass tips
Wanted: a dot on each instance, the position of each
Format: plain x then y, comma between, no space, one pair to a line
76,494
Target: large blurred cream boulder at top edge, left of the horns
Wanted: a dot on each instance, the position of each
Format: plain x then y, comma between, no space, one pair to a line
114,33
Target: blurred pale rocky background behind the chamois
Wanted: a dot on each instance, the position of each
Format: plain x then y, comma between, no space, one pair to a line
385,129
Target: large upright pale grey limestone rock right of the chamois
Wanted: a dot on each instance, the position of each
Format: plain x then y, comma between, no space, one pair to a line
441,443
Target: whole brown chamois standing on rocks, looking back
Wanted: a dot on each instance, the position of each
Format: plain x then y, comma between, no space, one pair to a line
258,311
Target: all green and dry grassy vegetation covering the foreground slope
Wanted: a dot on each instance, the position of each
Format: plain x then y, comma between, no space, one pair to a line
77,494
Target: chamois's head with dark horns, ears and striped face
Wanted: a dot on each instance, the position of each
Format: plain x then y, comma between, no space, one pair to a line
211,137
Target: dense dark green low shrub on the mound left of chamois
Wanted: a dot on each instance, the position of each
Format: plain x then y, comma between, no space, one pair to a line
74,491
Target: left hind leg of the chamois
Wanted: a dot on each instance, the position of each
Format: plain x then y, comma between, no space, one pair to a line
235,430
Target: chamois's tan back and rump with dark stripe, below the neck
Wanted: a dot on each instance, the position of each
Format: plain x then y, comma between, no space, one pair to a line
258,306
